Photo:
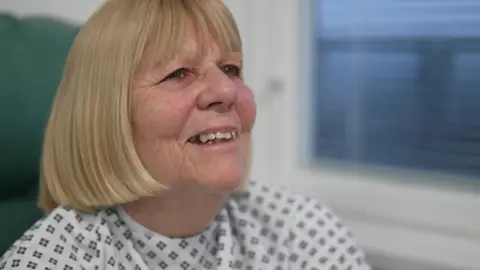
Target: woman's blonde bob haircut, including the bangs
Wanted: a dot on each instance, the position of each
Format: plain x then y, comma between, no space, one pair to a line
89,159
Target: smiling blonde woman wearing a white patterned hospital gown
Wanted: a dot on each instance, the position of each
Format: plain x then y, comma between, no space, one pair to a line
147,150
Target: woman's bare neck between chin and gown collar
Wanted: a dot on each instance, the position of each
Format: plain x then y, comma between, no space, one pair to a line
176,213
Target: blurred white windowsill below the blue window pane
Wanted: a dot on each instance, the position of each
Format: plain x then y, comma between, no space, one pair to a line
411,221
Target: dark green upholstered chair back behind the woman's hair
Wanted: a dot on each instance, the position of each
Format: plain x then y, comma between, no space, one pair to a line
32,56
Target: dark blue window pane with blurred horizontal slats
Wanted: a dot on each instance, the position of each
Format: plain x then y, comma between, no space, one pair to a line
396,84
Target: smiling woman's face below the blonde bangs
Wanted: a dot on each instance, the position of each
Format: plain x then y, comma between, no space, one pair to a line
192,119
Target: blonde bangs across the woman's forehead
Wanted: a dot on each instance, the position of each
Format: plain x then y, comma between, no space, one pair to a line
211,21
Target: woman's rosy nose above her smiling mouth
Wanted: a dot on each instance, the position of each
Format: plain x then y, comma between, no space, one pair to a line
219,94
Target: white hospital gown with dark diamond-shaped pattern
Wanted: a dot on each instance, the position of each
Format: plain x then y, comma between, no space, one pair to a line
267,228
